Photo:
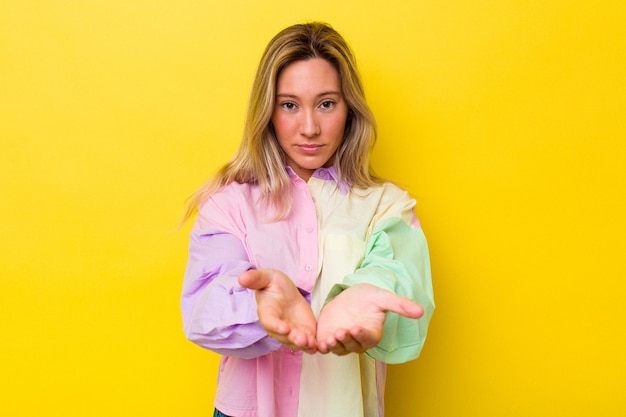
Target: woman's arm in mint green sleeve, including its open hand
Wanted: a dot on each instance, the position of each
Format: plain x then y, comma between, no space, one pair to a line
395,268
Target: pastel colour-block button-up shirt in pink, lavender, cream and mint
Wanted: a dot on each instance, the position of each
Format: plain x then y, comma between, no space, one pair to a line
333,237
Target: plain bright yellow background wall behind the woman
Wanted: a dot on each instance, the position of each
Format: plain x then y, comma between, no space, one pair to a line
506,120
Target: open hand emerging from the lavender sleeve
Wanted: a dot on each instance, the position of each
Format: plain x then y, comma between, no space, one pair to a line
283,311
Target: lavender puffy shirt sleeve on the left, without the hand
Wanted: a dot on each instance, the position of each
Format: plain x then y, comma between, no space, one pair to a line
218,313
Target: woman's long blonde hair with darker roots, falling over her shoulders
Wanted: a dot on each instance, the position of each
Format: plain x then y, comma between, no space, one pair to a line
260,158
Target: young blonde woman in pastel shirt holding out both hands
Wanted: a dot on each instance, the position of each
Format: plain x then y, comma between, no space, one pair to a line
306,272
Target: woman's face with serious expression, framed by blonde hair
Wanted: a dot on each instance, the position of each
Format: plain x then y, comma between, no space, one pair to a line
309,115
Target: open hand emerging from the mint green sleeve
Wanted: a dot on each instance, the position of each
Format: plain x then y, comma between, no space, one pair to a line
353,321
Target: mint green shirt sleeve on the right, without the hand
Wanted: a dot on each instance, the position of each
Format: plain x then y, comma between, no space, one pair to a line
396,259
